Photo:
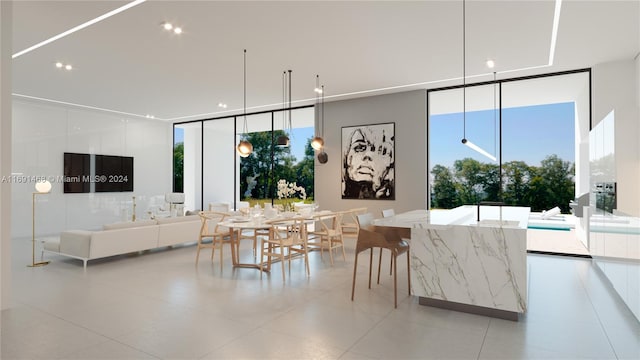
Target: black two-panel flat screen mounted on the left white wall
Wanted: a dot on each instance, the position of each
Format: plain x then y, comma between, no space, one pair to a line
85,173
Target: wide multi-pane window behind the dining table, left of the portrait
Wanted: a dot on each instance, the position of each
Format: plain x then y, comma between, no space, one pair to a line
208,170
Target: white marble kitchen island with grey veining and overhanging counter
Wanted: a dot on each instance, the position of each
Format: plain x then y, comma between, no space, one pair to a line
460,263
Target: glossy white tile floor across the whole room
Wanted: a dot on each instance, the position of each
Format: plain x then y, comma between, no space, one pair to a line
158,305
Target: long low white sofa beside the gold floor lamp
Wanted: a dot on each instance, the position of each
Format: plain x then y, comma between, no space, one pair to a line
124,238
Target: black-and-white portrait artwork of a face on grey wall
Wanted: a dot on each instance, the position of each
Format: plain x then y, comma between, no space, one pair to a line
368,162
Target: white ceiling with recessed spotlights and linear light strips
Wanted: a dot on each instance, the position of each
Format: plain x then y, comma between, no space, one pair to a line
127,63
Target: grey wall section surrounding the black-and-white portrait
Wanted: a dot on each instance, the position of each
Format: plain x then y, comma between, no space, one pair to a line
409,112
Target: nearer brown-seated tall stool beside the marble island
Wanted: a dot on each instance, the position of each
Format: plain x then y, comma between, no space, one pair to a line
370,237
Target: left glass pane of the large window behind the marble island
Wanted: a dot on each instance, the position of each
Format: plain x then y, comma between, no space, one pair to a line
463,173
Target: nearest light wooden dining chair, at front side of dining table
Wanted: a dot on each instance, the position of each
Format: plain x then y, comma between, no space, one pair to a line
286,238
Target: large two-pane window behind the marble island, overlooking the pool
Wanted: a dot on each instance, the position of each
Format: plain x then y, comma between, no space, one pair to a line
526,139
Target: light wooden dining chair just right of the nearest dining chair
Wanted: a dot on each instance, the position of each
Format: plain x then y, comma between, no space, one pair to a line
328,234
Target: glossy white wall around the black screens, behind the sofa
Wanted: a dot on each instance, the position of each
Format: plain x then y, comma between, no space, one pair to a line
43,132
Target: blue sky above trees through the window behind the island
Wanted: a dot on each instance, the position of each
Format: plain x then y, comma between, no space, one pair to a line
529,134
